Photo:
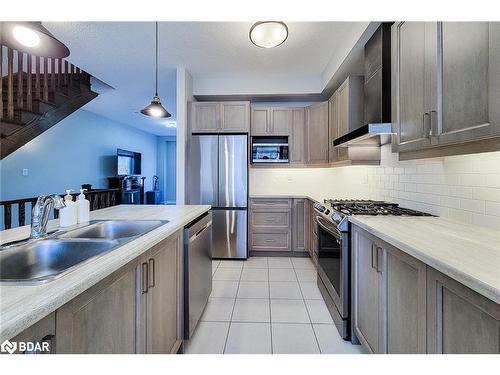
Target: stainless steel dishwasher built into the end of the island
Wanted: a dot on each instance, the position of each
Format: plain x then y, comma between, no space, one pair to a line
197,271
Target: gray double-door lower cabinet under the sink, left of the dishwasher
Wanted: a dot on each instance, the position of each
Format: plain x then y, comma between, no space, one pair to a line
136,309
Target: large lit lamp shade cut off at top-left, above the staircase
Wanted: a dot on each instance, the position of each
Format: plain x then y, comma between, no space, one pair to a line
32,38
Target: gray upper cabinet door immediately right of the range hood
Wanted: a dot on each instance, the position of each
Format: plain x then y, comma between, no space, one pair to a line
414,83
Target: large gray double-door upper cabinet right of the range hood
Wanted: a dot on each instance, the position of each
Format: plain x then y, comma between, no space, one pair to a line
445,80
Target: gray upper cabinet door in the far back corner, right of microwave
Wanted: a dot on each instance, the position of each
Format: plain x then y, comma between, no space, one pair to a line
317,133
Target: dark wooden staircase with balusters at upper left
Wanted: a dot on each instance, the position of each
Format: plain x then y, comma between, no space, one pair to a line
36,93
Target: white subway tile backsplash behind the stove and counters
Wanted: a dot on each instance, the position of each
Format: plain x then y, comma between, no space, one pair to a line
465,188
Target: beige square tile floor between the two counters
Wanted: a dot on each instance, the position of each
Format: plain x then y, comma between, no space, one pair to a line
266,305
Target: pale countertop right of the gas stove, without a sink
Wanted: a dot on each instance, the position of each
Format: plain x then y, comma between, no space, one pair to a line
467,253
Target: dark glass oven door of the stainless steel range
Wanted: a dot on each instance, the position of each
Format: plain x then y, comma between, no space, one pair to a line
333,263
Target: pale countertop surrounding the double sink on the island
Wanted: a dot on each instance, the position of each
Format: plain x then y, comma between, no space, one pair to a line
23,305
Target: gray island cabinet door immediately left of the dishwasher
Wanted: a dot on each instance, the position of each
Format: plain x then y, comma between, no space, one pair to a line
164,333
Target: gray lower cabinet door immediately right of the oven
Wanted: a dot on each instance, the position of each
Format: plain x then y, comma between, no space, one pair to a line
368,317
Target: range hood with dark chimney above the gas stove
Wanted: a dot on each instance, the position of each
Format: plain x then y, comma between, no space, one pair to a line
377,94
